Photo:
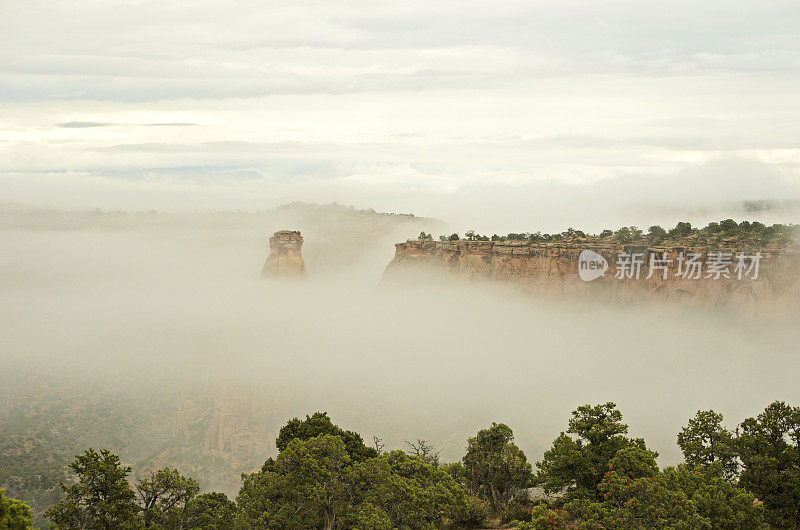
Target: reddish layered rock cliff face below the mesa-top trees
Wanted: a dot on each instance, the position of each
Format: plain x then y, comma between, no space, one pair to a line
755,281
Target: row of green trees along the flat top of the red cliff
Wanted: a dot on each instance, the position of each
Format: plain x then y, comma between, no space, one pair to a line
728,231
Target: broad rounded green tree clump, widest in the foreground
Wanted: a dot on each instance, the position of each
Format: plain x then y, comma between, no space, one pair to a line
313,483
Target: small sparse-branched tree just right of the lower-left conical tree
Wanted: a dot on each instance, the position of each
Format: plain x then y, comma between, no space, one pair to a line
164,497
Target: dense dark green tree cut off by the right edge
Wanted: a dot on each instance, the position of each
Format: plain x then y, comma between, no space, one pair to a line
769,448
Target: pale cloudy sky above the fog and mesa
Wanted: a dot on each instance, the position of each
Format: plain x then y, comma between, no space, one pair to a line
510,115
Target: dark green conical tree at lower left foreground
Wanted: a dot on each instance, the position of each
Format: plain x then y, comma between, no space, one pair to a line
100,499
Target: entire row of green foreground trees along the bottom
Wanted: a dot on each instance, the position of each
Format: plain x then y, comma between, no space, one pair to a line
593,476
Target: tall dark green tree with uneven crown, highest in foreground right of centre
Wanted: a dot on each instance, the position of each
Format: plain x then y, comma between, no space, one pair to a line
577,465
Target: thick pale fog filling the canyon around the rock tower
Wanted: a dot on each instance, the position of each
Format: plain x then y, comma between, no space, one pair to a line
148,305
